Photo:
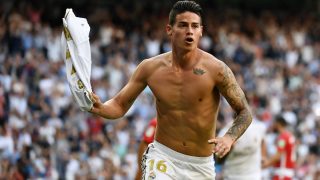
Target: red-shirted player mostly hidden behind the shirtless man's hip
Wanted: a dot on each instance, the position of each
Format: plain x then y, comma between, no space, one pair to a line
148,137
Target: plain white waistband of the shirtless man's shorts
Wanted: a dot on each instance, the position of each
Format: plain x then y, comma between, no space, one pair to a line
182,157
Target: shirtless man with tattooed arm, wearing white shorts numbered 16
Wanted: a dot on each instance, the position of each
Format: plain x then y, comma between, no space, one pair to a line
187,83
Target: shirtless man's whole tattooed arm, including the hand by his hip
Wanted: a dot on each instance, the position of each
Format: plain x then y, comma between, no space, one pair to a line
229,88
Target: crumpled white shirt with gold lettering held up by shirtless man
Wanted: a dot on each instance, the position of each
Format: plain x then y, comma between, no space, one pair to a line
77,56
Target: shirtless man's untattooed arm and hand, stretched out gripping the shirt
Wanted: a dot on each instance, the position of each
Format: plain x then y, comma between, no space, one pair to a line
120,104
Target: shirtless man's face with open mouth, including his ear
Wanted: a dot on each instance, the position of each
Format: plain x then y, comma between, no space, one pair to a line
186,31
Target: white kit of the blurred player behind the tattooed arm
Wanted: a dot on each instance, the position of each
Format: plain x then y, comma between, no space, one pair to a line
242,163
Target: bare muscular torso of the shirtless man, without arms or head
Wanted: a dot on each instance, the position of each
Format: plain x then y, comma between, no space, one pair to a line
187,103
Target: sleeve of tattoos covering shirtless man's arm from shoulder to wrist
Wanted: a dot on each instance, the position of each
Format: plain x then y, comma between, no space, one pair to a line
230,89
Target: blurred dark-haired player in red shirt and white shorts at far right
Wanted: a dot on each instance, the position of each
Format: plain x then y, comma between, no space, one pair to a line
284,160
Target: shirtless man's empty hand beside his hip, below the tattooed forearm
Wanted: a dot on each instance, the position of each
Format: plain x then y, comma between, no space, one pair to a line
222,145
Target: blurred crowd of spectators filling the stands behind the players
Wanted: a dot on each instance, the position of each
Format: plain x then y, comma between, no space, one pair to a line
43,134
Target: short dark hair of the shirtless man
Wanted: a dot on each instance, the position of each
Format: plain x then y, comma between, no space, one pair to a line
184,6
